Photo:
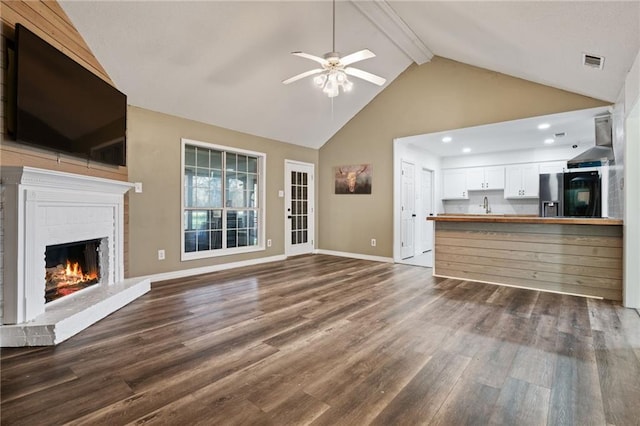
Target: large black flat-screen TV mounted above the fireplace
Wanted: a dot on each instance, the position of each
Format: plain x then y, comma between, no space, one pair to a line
63,107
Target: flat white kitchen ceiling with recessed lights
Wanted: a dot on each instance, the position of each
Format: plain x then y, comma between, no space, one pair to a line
578,128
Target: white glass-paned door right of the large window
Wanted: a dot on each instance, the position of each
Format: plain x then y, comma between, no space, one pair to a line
299,208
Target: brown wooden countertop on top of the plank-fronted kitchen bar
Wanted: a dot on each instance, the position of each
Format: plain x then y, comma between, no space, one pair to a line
506,218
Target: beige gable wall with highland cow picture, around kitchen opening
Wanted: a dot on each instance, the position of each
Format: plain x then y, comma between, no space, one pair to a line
436,96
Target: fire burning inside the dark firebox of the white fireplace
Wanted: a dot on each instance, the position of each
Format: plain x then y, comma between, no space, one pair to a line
71,267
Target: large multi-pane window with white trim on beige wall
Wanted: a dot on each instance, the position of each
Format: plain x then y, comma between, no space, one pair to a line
222,200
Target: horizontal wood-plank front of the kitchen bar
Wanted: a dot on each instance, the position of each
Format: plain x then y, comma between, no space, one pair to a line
580,256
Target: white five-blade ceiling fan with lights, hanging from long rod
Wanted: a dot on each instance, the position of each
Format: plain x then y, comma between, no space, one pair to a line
333,74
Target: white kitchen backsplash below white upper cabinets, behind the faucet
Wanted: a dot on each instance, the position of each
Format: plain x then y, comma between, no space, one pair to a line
497,204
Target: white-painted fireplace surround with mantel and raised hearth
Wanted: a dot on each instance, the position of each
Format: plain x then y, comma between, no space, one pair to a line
44,207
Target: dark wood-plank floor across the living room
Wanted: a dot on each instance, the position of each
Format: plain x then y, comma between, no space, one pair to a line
328,340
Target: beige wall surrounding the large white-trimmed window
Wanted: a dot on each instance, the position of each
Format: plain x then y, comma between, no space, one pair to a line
154,143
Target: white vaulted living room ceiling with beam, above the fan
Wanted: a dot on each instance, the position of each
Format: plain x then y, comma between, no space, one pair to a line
222,62
